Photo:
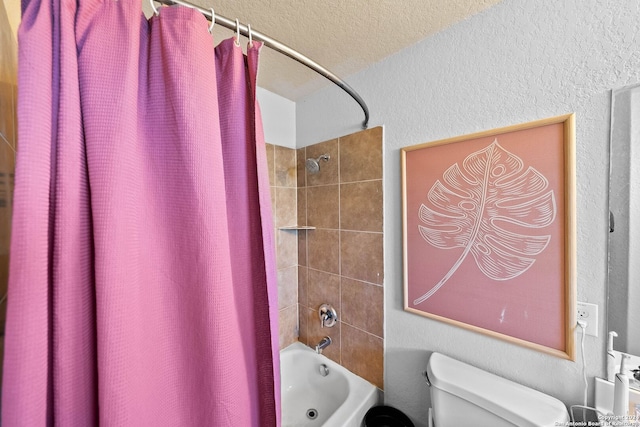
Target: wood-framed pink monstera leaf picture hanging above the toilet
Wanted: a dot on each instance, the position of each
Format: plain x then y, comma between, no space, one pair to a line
489,233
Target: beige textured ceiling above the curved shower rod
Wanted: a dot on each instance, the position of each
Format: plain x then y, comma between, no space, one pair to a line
344,36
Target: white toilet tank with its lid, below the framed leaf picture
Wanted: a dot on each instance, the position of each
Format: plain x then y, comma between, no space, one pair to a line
463,395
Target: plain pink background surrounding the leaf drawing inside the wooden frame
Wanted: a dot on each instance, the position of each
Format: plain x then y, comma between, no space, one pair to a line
530,306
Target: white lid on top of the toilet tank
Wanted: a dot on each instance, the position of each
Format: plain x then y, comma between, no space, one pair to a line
506,399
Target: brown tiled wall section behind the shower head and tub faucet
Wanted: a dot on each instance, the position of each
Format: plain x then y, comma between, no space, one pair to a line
341,261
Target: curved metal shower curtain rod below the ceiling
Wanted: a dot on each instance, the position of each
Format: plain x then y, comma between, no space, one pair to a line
276,45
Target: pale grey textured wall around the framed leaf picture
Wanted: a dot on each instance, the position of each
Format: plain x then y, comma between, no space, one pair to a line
513,63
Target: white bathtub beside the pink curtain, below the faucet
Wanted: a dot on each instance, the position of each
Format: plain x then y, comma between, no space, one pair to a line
339,399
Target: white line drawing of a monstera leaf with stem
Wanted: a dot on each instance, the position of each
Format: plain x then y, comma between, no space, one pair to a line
478,207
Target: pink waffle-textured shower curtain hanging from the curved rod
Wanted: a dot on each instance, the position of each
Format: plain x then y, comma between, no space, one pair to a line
142,280
